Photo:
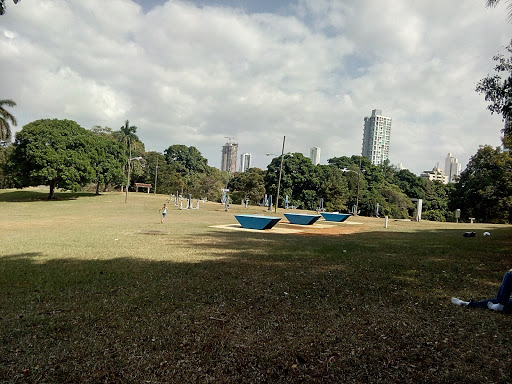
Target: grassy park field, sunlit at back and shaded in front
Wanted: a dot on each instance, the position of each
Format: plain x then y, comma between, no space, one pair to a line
94,290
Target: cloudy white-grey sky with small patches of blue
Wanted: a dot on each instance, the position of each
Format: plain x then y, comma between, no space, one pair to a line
202,73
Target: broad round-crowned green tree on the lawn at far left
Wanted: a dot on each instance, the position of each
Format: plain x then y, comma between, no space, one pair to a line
54,153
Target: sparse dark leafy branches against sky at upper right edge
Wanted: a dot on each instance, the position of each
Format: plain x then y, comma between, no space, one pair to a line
498,91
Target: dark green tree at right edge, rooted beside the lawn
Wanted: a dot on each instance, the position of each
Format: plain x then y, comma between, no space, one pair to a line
484,190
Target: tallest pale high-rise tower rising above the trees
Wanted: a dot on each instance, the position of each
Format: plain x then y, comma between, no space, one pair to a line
376,137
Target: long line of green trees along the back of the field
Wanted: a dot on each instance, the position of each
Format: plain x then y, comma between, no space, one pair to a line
62,154
